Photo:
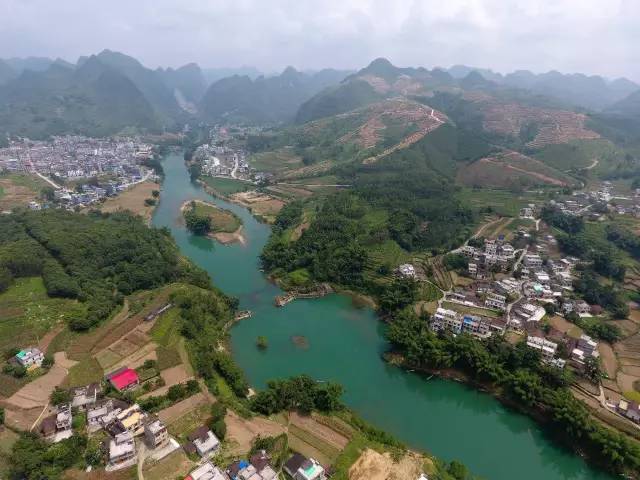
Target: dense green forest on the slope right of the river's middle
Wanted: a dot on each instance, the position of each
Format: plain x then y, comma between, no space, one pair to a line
405,198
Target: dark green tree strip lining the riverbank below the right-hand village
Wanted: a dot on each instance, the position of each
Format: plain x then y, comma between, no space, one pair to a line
517,374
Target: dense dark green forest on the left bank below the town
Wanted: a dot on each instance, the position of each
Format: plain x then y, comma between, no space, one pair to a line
96,258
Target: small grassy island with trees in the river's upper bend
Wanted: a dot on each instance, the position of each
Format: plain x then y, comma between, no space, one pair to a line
203,218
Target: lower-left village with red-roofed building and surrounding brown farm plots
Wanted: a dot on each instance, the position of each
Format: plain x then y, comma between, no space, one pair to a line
153,414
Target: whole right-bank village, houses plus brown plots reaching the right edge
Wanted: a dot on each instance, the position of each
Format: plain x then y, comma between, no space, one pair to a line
519,285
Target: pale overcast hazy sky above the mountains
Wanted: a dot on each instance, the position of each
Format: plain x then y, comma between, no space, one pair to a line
591,36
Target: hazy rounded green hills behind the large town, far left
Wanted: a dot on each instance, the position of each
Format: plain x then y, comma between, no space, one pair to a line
91,100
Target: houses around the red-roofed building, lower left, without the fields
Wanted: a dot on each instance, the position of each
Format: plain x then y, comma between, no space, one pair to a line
133,435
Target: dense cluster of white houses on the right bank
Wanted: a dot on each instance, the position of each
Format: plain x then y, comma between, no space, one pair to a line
518,302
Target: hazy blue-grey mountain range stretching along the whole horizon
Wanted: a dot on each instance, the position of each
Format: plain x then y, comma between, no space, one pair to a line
108,92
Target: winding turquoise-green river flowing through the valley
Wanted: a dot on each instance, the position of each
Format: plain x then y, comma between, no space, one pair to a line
344,343
